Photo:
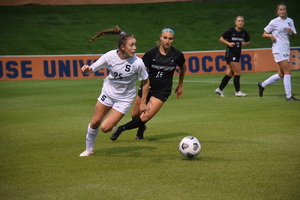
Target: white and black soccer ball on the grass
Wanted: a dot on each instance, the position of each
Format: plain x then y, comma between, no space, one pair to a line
190,147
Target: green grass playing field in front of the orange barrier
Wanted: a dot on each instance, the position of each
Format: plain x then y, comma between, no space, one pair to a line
250,146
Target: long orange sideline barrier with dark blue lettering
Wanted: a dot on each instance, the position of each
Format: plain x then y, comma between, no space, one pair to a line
68,66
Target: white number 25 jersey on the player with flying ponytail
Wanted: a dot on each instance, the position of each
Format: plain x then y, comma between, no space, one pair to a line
123,74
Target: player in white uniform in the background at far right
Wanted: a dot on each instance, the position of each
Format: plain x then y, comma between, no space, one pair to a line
279,30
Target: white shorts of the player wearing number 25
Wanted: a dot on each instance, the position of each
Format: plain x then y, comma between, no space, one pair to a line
121,106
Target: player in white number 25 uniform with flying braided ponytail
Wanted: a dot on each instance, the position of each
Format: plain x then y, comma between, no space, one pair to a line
118,91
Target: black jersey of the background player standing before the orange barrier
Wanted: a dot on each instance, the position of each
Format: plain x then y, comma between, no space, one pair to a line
232,35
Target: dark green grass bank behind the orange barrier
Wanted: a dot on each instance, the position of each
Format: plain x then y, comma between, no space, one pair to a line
51,30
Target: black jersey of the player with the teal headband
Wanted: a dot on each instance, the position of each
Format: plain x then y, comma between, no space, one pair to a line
161,67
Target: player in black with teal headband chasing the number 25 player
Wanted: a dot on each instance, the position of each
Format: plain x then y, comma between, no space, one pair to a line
161,62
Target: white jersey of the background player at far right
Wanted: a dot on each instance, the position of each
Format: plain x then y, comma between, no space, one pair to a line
278,28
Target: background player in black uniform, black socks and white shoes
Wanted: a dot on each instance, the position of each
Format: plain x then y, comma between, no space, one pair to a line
234,38
